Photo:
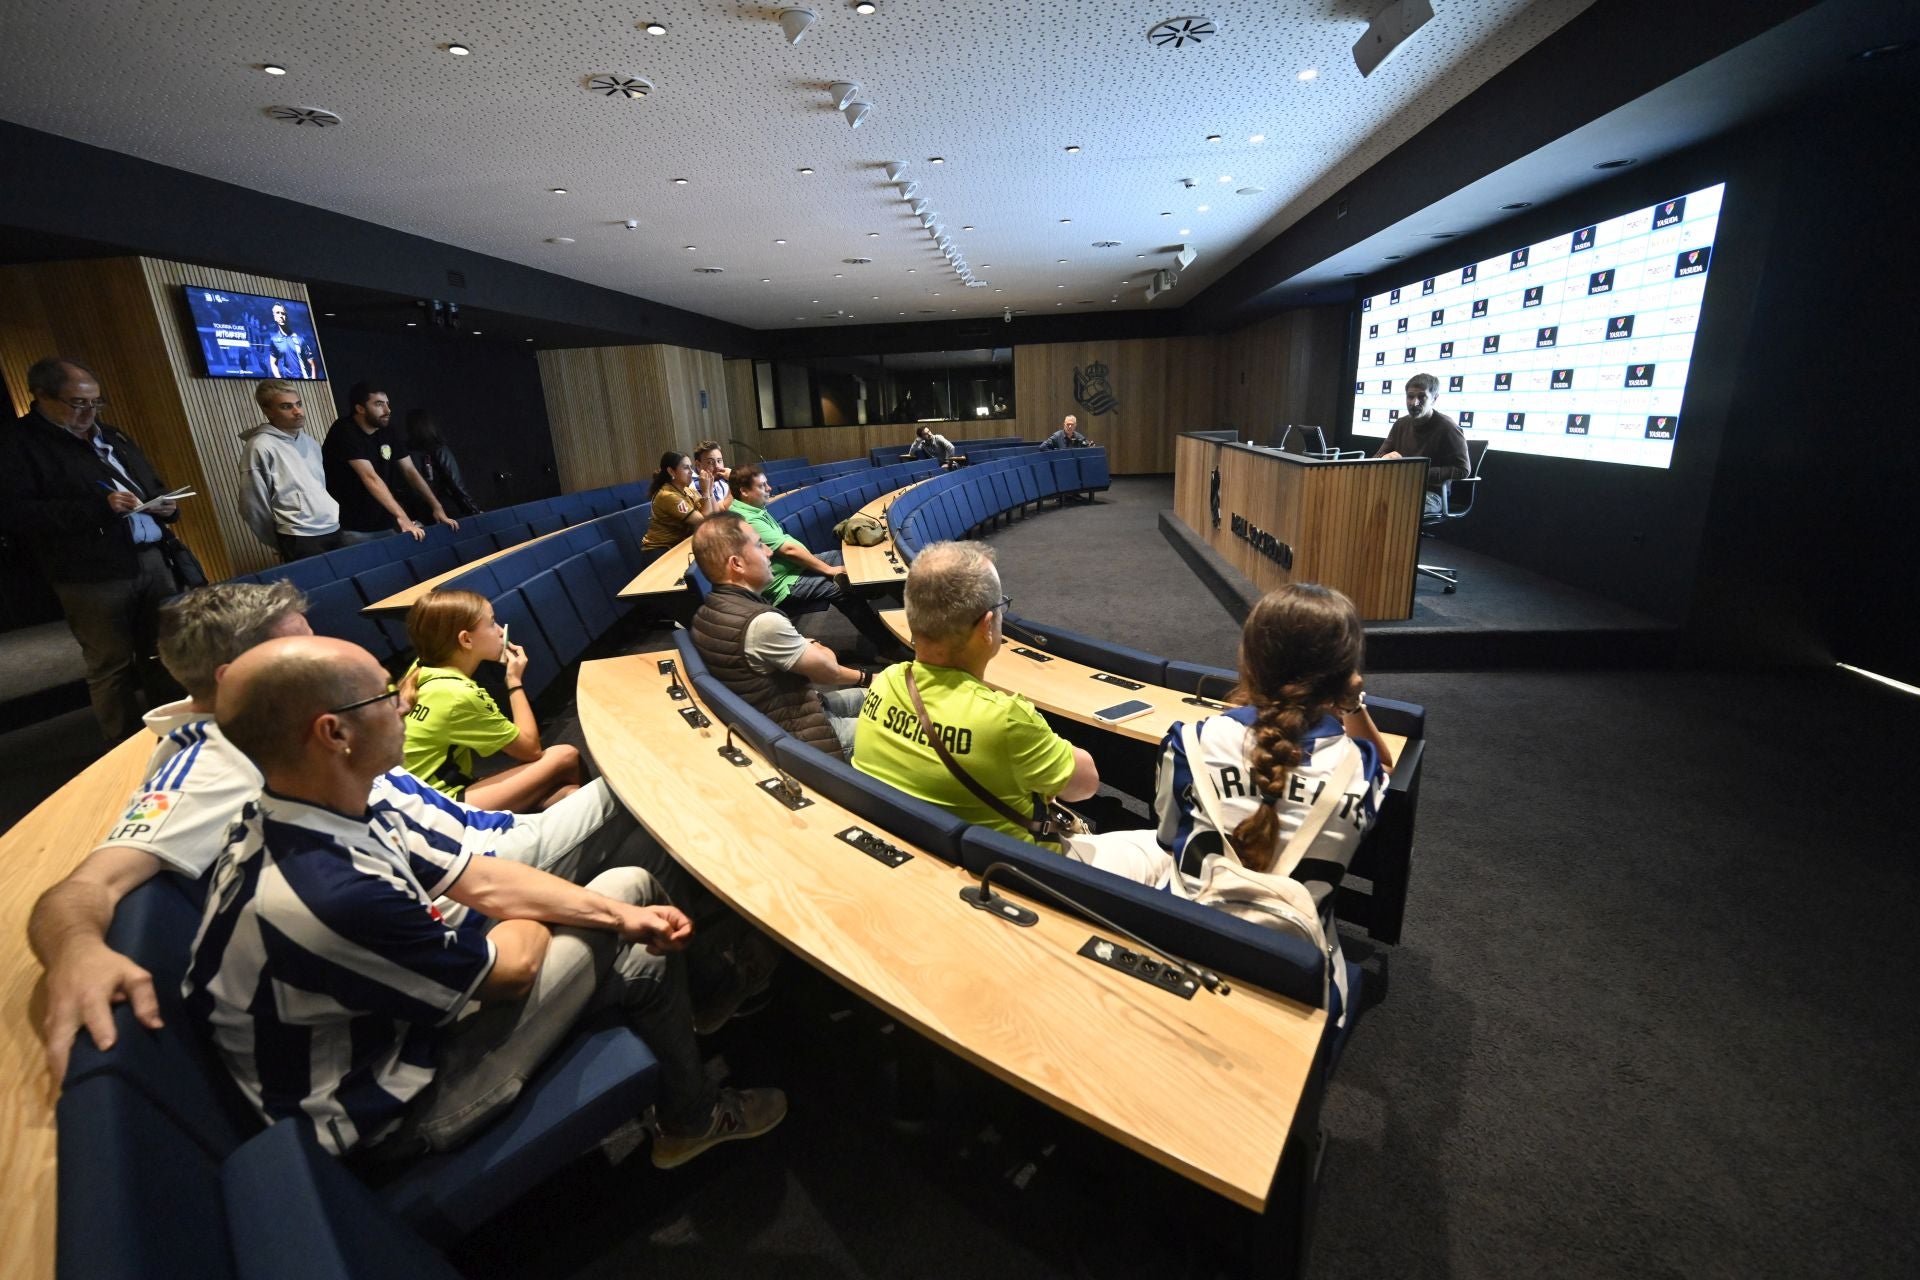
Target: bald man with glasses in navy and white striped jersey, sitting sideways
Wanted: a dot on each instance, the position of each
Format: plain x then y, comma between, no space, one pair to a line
322,893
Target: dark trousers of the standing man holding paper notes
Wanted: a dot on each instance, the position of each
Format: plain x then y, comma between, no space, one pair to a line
118,627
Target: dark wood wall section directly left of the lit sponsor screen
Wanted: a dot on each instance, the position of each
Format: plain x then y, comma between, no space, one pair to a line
1285,369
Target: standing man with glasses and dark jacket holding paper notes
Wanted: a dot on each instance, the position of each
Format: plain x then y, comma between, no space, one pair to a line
70,494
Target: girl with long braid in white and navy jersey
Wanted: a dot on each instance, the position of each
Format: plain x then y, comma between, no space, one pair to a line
1297,724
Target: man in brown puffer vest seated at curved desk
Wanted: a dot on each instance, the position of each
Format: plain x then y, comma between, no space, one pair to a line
756,650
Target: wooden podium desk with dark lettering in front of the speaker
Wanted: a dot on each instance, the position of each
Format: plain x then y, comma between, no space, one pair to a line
1282,517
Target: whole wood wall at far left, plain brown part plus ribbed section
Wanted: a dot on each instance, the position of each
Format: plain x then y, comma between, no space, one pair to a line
122,318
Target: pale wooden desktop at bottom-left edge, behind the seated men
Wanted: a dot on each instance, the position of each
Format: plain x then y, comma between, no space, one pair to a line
41,849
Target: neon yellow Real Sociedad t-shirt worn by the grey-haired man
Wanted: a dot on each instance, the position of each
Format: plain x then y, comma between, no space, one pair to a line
994,736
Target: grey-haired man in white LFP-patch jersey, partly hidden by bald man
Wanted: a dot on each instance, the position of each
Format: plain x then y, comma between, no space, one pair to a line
197,784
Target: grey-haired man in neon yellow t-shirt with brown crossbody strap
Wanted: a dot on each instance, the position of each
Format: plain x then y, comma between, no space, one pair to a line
955,611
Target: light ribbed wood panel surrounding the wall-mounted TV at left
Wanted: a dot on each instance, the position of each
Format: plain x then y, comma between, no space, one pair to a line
218,410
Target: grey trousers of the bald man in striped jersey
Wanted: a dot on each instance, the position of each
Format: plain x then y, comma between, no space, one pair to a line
489,1056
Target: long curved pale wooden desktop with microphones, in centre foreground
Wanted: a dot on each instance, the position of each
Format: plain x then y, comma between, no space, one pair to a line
1088,1041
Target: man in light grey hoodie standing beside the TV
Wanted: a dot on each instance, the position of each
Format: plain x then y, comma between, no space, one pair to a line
283,481
